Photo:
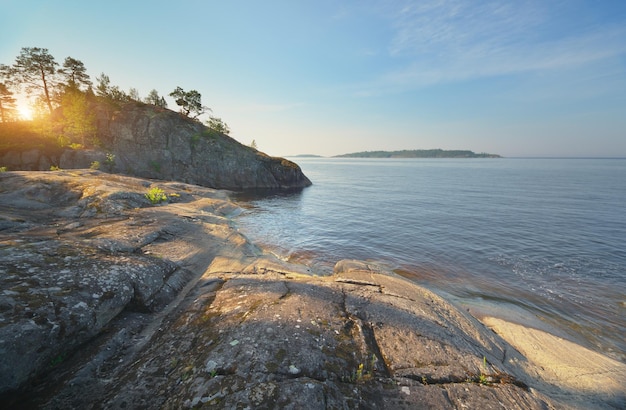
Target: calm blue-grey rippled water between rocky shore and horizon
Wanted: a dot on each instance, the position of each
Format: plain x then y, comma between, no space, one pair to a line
542,241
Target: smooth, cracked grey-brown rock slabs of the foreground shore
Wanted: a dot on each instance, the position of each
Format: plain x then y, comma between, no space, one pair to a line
110,301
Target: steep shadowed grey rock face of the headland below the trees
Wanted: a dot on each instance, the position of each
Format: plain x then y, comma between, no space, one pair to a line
157,143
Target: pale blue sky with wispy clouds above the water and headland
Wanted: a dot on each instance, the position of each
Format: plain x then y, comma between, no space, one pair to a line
540,78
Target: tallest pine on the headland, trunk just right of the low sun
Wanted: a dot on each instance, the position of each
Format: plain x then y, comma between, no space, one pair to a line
35,69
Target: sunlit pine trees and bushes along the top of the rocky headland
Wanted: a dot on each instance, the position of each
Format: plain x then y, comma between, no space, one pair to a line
64,98
